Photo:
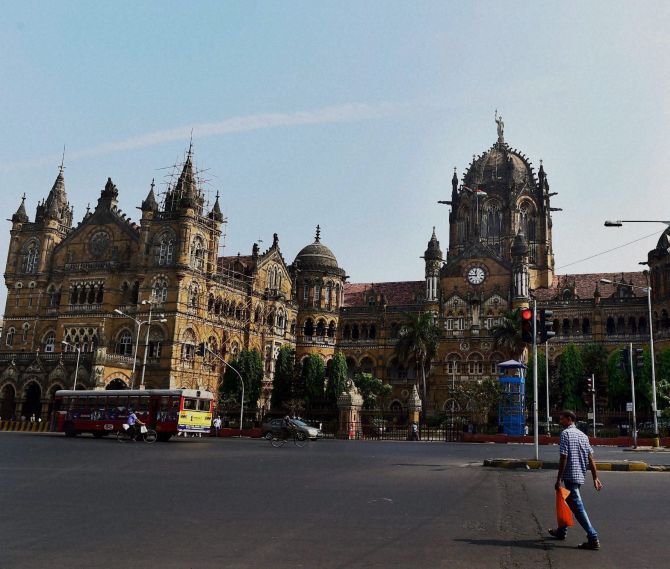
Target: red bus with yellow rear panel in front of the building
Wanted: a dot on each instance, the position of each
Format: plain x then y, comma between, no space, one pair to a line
167,411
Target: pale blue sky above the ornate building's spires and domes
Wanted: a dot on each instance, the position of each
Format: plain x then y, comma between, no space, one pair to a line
347,114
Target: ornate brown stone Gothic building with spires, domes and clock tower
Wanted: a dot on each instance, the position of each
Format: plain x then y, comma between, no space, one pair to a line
80,297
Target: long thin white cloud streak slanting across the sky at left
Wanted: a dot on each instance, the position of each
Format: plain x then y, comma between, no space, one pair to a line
352,112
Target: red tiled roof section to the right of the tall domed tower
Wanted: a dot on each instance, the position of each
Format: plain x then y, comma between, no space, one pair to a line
584,285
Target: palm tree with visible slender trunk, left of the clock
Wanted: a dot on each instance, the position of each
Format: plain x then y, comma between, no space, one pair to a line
418,338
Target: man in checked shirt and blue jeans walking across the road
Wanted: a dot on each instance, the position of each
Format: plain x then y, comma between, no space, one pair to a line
576,456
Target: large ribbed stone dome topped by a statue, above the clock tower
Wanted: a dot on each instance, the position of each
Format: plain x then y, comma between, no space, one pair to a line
500,166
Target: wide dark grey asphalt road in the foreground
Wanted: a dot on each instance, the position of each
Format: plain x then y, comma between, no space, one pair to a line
241,504
